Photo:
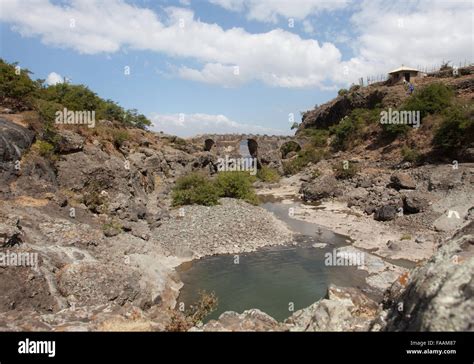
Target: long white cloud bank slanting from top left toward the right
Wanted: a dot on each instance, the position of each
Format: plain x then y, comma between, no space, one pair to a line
114,25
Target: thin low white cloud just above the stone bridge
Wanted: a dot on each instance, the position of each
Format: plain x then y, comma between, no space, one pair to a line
192,124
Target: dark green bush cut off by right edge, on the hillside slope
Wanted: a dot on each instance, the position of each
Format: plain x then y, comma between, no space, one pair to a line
456,129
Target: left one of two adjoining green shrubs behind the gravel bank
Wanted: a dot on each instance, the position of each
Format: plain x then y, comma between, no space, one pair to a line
195,188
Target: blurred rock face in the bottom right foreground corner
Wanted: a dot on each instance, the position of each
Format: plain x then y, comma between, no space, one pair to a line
438,296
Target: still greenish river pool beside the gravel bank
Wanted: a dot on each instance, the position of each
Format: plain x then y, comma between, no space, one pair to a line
274,279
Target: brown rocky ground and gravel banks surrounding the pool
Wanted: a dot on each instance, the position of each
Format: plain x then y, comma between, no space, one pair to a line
97,214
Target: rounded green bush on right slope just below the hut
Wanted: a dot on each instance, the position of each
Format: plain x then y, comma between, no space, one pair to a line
430,99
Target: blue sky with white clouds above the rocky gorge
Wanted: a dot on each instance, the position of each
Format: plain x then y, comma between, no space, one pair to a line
229,66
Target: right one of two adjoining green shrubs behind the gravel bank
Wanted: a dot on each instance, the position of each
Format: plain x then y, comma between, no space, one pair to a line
236,184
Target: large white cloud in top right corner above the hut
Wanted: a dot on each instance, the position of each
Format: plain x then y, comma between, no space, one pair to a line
422,33
